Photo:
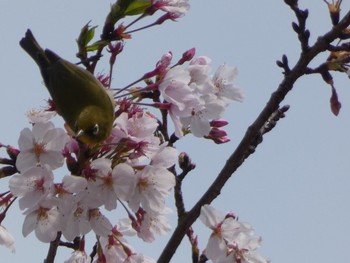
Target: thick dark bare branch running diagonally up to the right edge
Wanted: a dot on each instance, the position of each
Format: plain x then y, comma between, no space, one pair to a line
238,156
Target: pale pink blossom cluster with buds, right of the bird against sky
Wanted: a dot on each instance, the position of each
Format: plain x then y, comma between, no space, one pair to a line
194,98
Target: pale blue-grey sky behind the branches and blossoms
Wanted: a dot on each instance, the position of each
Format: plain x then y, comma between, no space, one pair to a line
294,190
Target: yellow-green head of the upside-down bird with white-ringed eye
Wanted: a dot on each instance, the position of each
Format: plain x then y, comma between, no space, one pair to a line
93,125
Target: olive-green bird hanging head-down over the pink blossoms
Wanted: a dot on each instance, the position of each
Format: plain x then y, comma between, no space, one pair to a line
79,97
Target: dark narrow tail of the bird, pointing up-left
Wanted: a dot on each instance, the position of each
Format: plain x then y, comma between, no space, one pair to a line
32,47
